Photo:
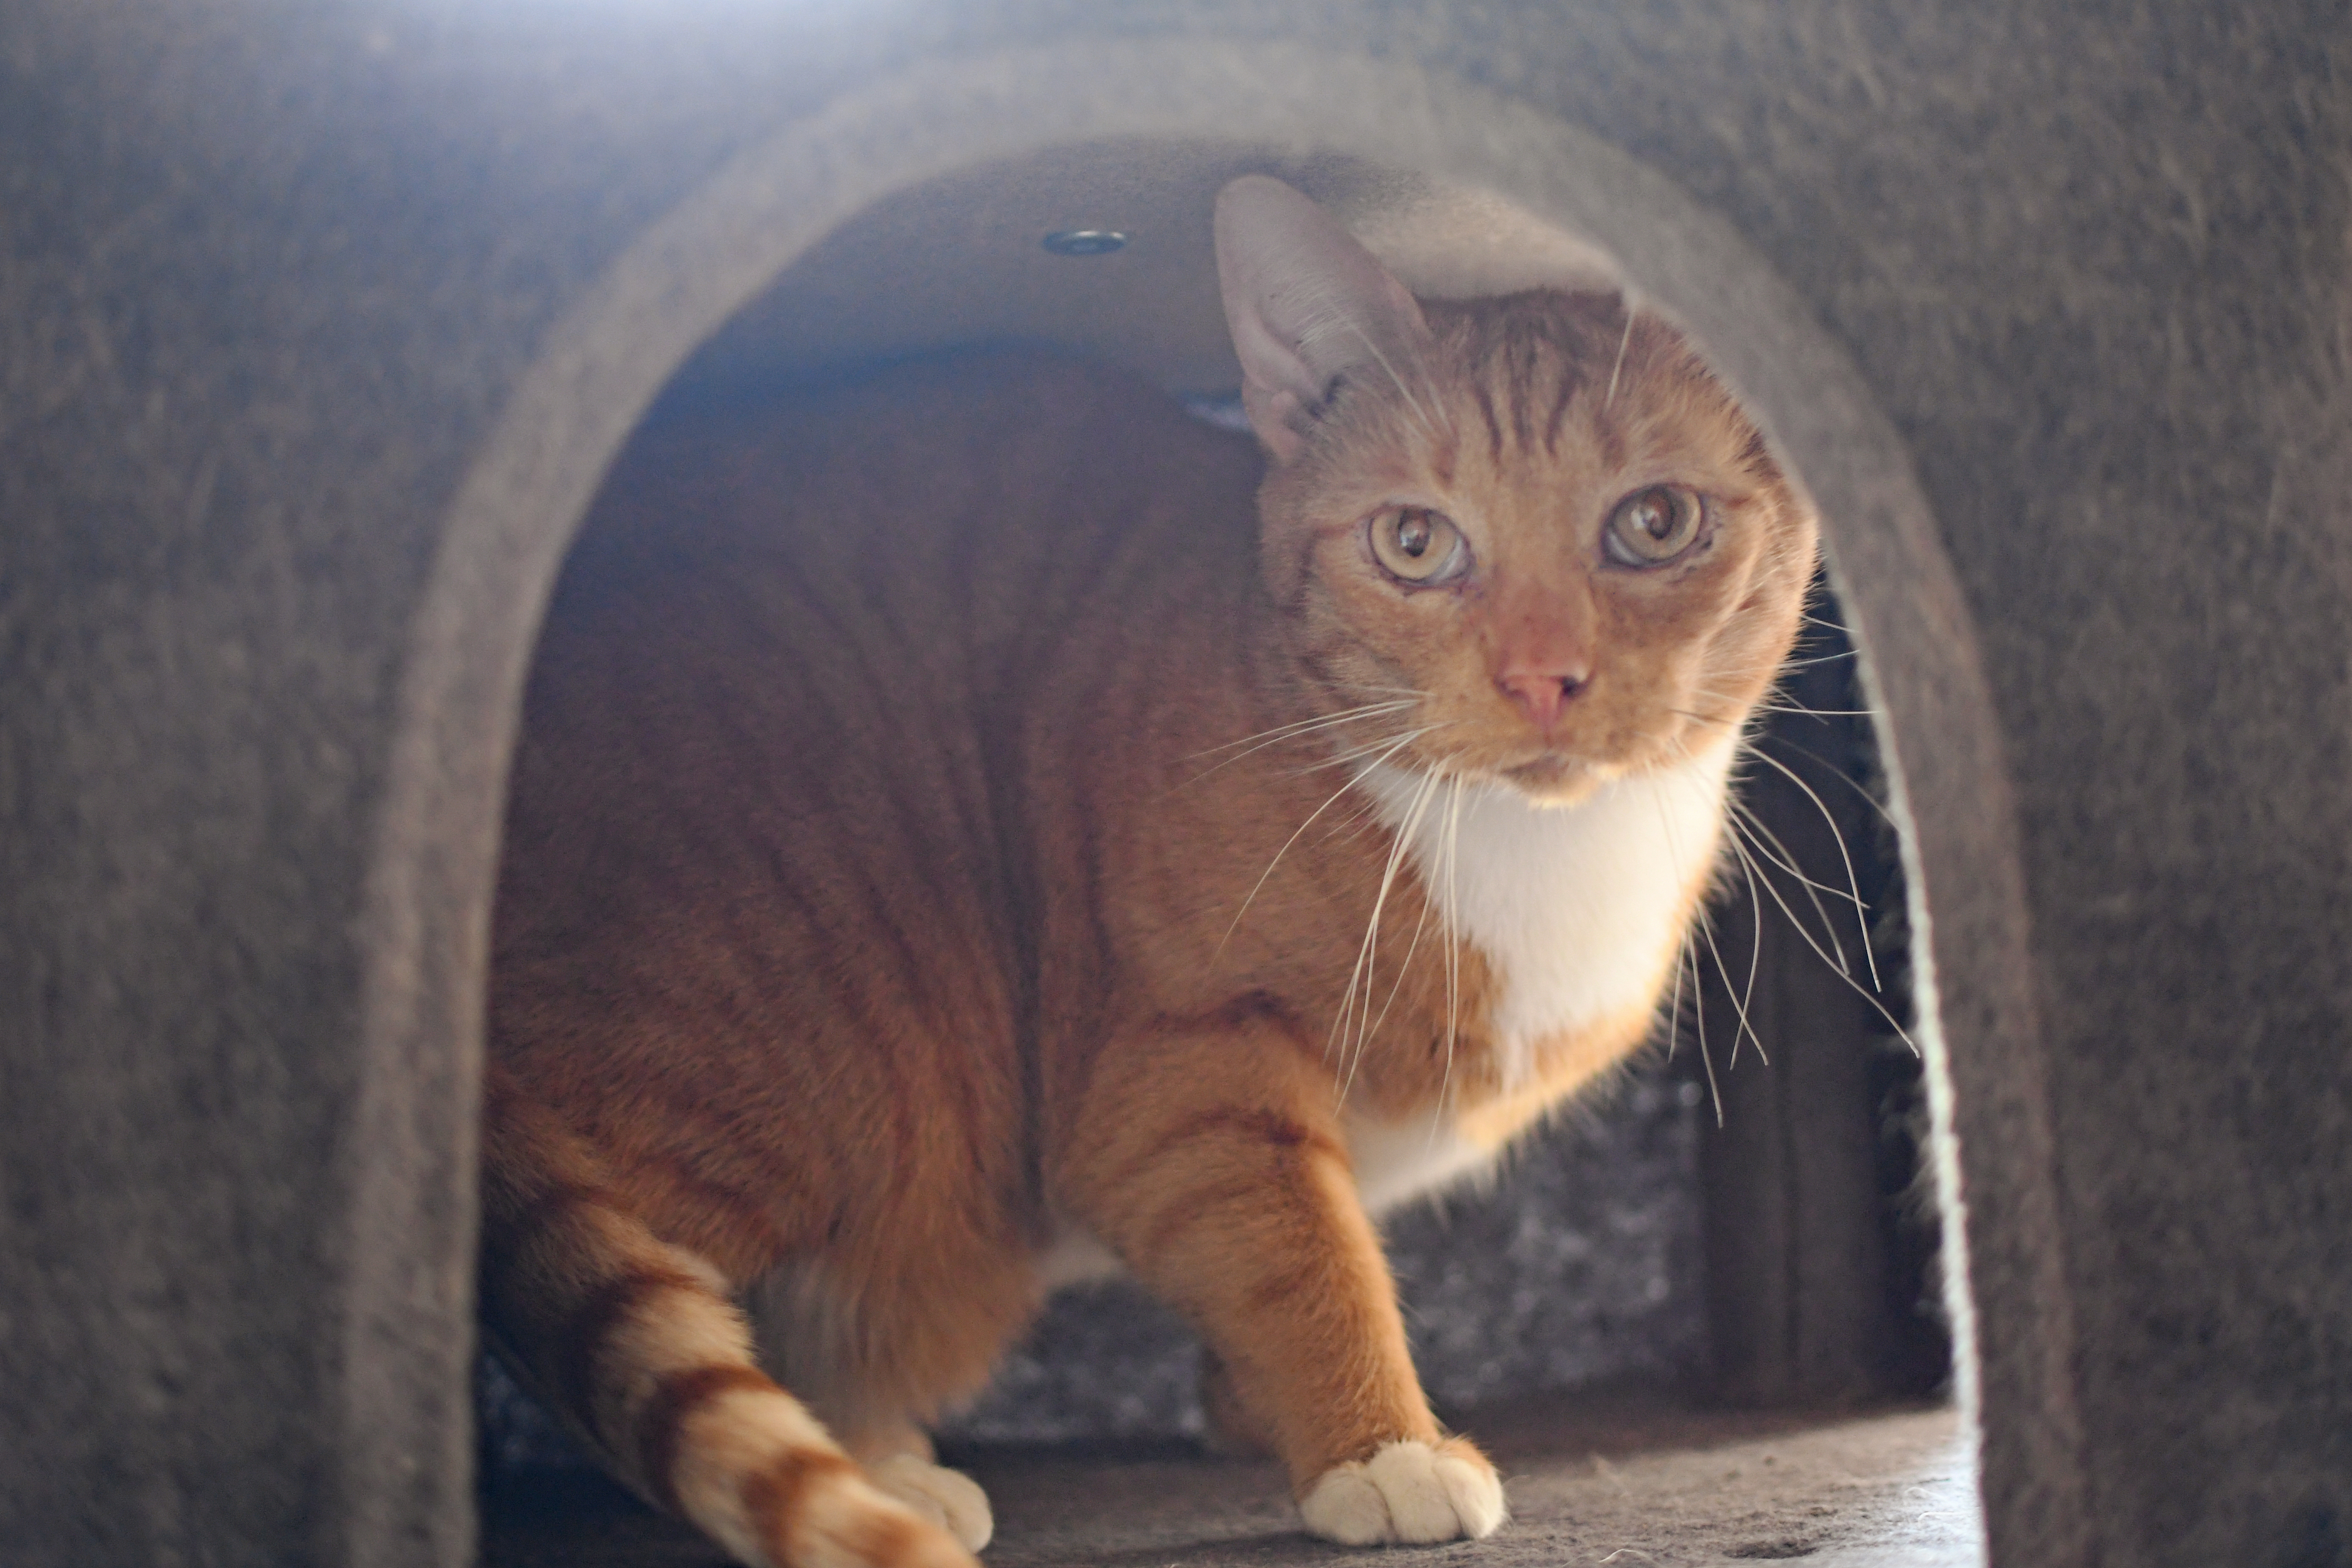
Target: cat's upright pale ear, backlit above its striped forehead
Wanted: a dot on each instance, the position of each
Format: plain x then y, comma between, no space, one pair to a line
1307,304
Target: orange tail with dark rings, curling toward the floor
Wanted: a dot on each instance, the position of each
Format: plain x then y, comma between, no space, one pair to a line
639,1346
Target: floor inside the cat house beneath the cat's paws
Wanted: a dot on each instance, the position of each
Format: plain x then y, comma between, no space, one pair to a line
1622,1485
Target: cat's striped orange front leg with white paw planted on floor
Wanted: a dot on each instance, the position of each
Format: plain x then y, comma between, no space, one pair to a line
1212,1162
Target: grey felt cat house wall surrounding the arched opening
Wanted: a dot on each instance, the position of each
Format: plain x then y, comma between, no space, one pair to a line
323,323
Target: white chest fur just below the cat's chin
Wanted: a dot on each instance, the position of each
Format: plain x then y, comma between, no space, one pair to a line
1575,909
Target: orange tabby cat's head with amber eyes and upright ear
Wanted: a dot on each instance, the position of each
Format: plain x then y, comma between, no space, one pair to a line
1537,525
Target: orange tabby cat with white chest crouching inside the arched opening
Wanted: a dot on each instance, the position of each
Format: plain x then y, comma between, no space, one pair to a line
980,826
